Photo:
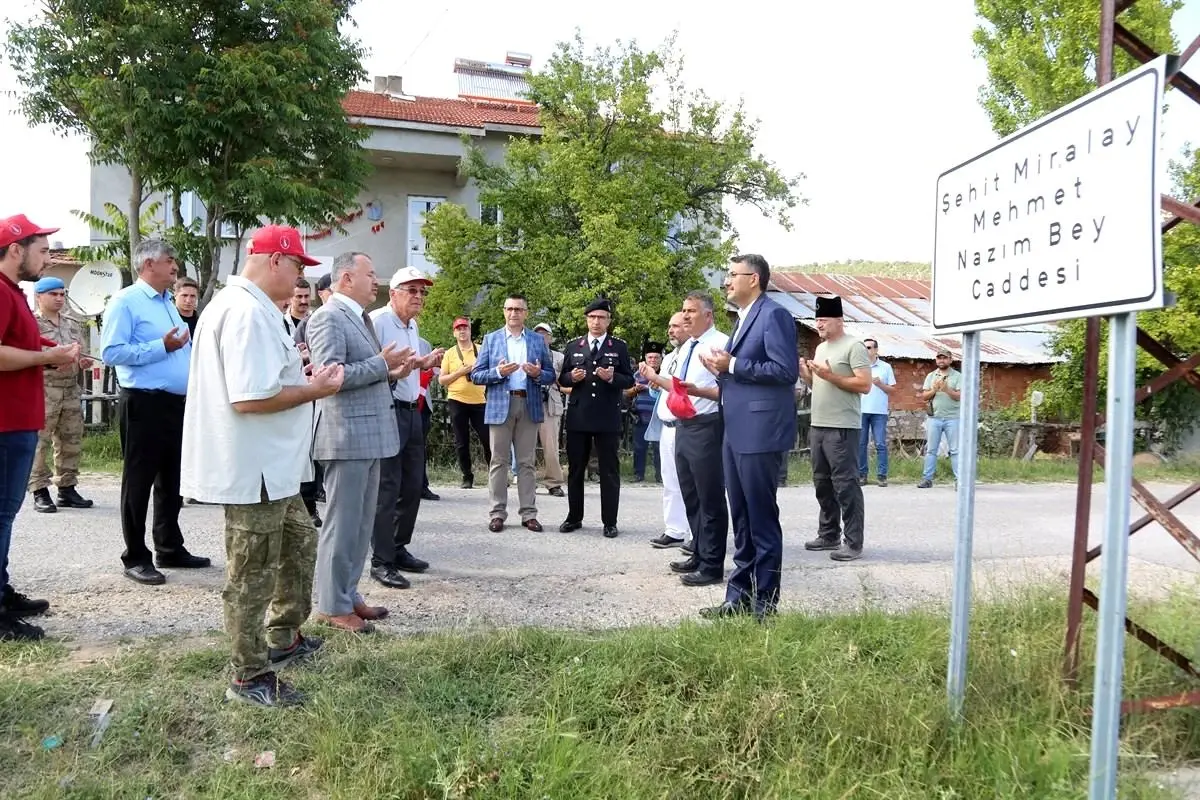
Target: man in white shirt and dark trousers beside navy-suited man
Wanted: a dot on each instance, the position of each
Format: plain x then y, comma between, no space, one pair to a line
698,438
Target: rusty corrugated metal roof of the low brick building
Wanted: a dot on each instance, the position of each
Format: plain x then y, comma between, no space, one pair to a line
897,312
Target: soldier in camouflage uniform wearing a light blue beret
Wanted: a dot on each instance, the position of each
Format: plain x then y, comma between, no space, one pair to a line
64,412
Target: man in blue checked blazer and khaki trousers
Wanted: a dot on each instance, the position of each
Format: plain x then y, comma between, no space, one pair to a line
514,364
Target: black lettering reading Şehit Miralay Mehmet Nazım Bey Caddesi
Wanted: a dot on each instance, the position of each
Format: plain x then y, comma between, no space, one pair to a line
1057,204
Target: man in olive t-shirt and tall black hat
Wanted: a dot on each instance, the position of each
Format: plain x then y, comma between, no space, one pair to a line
839,374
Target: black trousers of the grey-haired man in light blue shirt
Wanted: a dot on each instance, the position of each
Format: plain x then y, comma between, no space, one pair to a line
151,425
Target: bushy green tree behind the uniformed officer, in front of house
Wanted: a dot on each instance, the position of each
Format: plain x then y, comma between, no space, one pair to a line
621,196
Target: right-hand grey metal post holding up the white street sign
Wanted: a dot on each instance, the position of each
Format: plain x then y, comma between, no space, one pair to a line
1118,478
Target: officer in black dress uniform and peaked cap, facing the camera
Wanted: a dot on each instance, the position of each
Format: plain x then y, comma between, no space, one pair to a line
597,370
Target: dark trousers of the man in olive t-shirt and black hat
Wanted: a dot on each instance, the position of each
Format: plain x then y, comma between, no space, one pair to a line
836,478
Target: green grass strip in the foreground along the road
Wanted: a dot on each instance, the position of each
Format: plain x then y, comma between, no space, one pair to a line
832,707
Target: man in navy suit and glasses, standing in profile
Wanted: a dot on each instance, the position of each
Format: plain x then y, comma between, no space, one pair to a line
758,377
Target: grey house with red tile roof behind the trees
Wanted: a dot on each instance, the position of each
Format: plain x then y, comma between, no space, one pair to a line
415,145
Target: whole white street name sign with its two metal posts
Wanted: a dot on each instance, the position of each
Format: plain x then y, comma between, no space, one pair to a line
1059,221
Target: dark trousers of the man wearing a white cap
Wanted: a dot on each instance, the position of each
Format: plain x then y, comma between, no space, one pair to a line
400,490
